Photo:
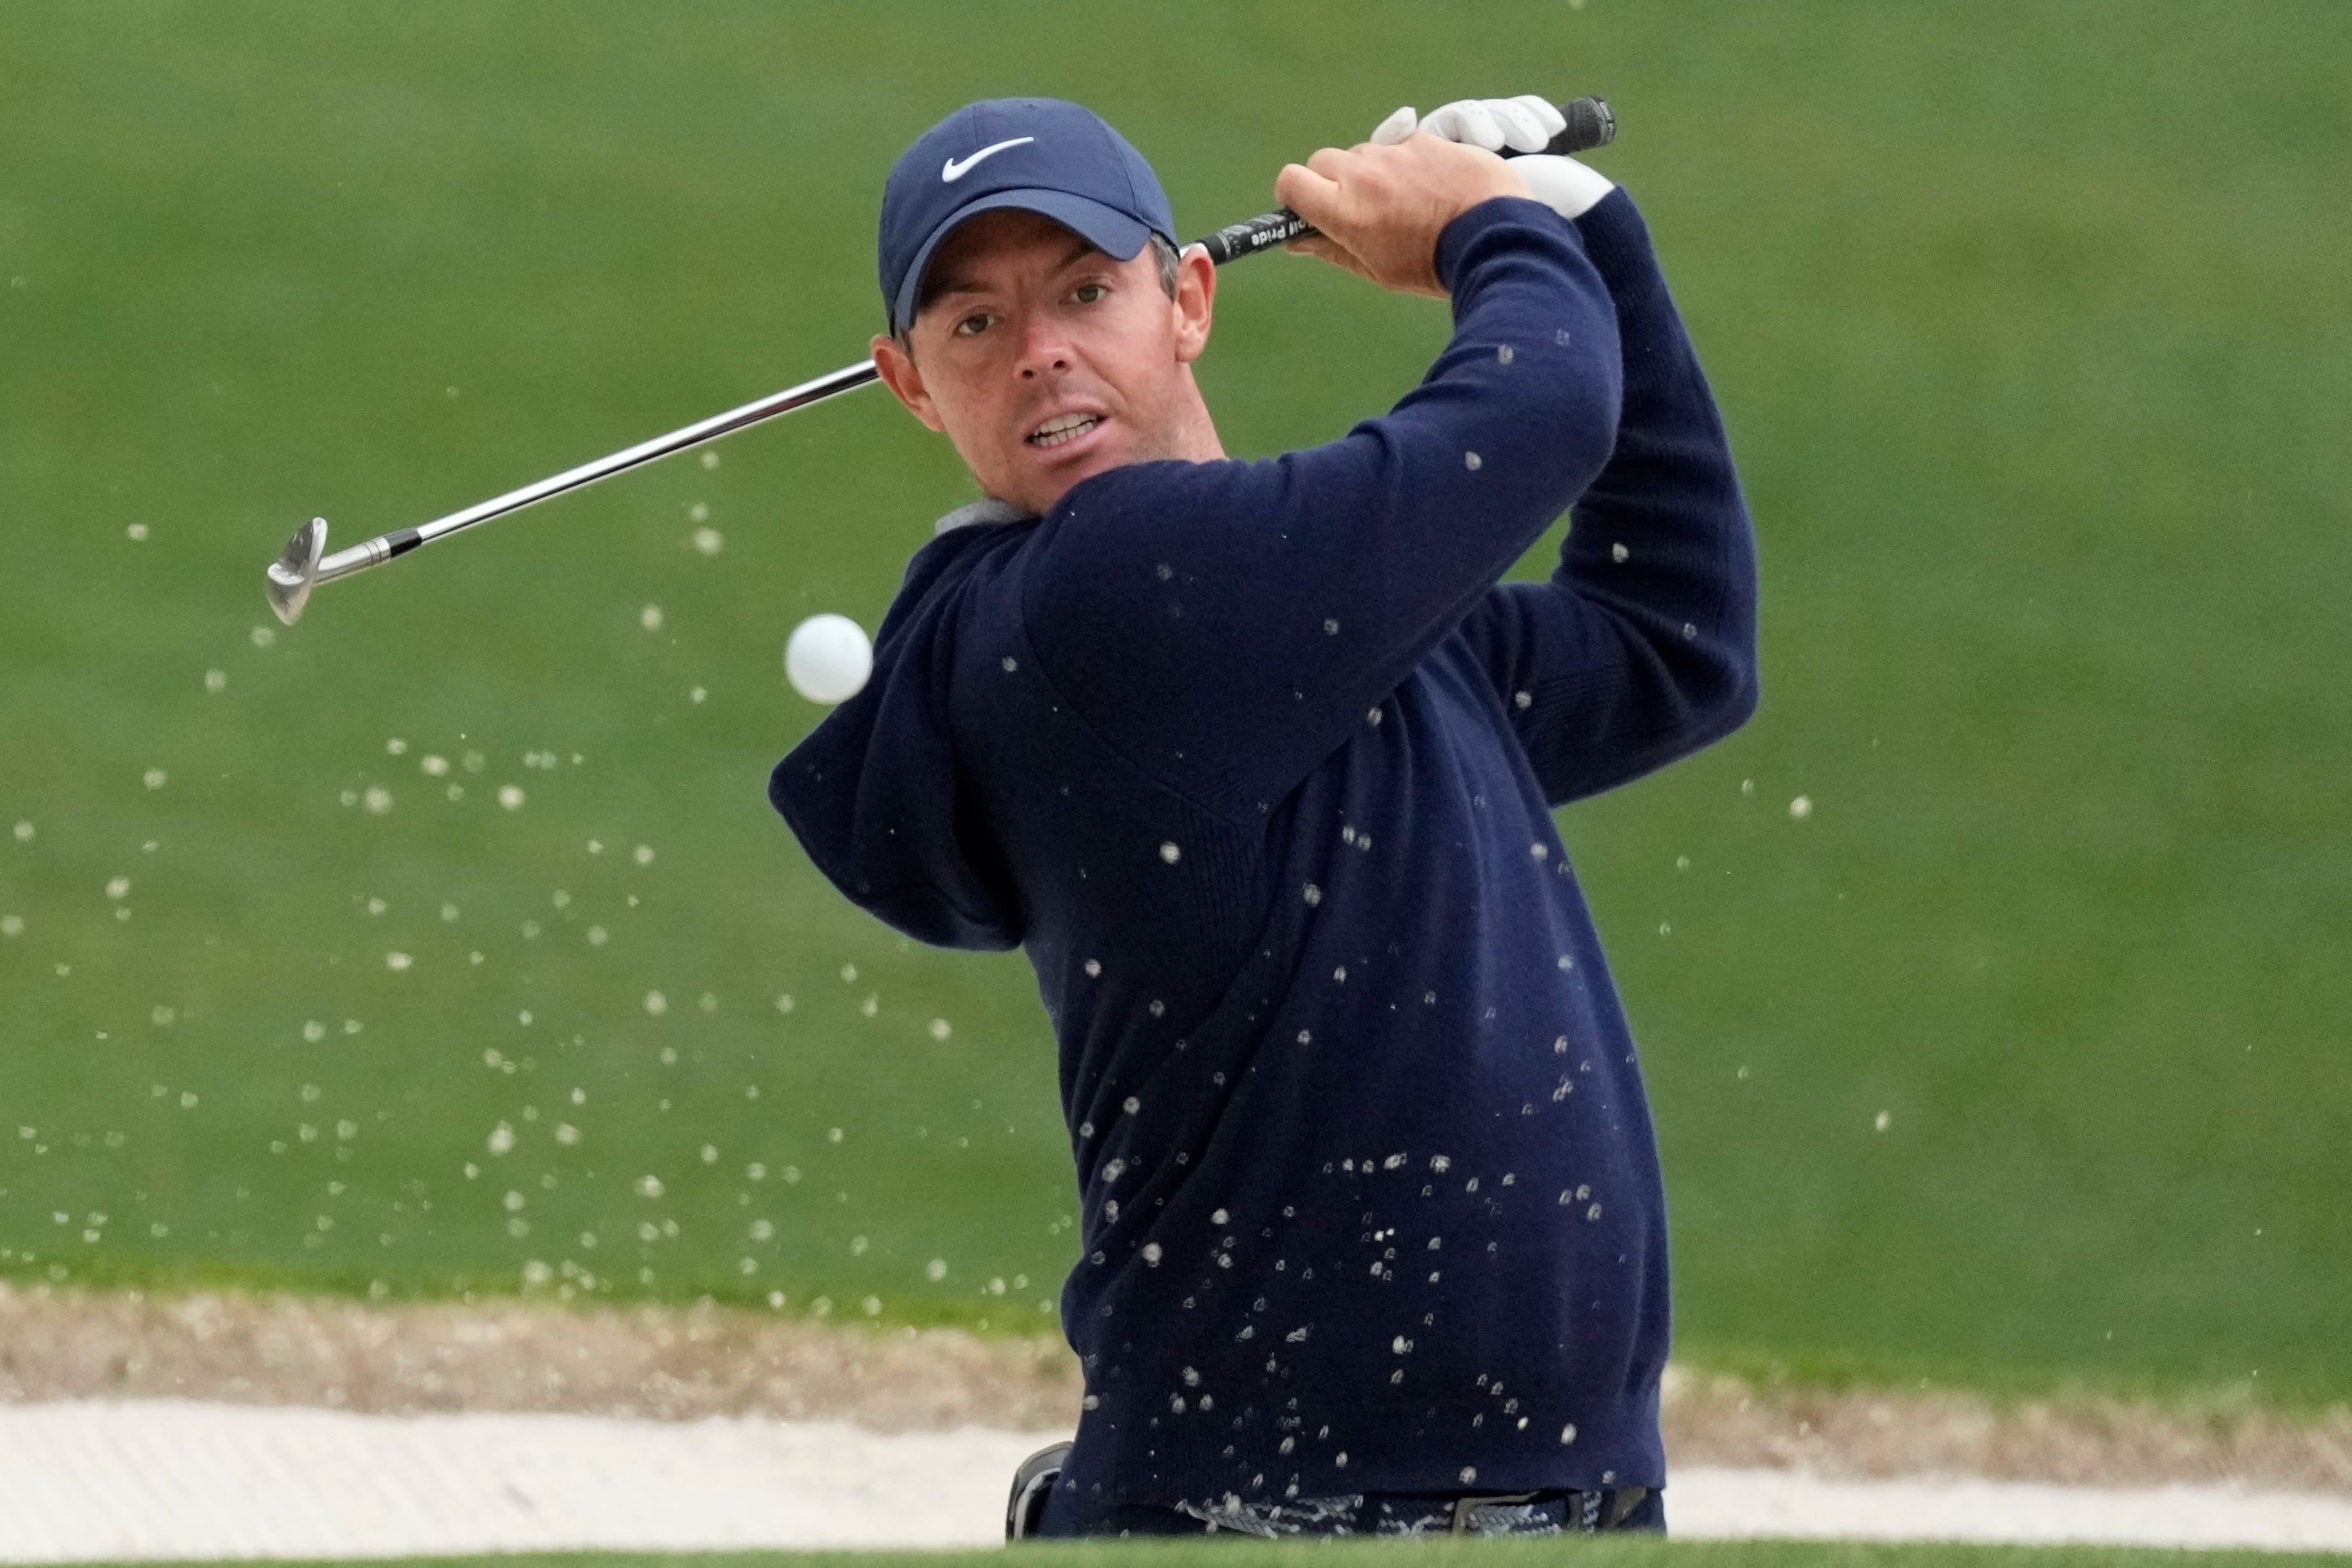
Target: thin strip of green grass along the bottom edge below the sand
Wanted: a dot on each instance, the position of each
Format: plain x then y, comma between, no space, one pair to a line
1601,1553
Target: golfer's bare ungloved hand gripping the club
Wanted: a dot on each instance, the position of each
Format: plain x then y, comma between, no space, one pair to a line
1382,208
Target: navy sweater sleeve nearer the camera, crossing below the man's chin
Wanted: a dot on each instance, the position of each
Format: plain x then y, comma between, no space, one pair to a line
1222,626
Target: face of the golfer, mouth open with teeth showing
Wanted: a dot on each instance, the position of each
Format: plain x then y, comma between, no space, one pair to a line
1045,361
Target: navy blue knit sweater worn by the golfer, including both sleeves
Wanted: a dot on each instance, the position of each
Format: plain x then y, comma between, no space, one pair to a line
1257,763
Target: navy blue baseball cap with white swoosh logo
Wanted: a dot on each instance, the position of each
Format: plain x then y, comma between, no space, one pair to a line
1038,156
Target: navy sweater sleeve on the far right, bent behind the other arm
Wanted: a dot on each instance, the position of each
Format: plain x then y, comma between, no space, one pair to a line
1643,645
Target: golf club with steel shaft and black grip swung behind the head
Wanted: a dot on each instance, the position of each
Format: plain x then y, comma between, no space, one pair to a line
305,563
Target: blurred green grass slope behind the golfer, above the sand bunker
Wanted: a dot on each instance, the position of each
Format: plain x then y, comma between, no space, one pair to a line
2017,1061
